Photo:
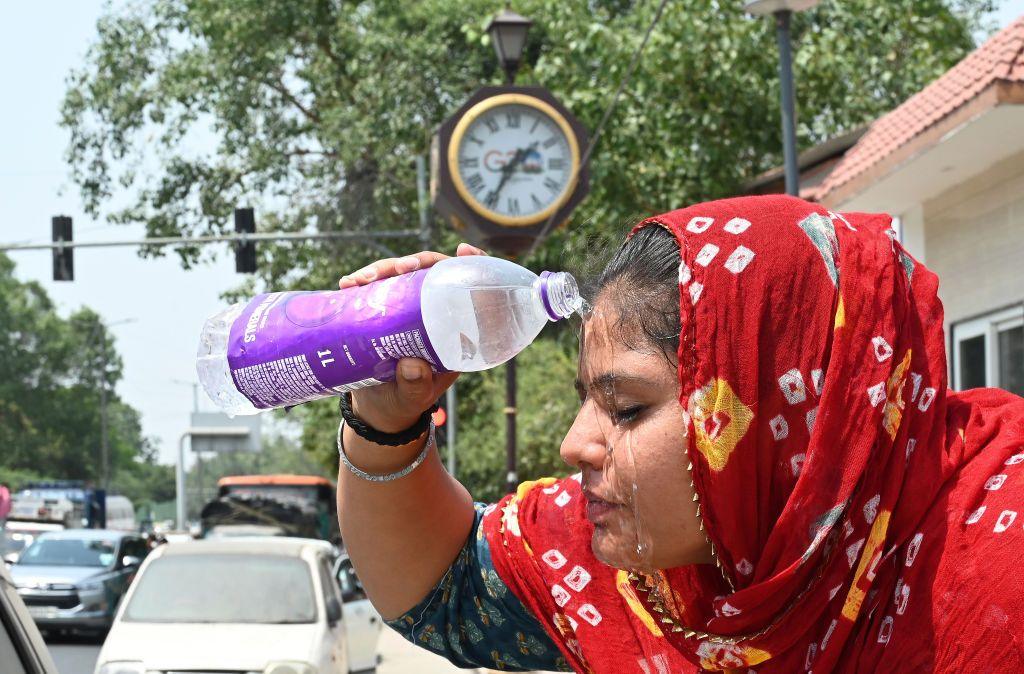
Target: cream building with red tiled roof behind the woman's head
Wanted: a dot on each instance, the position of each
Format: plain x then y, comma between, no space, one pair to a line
949,164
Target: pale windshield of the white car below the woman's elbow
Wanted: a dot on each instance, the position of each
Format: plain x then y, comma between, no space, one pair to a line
230,588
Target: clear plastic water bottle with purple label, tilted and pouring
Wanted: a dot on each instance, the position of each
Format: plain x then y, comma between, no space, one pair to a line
462,315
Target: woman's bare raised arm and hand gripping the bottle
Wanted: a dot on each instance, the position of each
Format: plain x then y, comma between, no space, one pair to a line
401,535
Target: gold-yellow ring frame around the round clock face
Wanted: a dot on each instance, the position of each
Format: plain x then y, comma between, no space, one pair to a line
509,100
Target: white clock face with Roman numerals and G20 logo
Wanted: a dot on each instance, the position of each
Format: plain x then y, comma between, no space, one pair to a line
516,163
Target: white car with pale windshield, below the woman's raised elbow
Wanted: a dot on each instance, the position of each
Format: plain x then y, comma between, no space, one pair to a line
267,606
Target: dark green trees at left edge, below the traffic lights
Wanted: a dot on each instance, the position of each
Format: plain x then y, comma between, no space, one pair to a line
52,371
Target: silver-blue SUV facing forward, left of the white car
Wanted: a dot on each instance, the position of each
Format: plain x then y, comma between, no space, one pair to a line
75,579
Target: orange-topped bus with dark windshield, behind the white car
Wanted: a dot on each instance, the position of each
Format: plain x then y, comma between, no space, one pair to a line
297,505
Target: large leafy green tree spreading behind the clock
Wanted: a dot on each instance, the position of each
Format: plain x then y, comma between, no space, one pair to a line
317,109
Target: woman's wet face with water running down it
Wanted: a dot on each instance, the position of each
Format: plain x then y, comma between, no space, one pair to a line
629,440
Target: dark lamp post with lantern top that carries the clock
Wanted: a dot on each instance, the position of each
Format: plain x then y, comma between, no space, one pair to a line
508,32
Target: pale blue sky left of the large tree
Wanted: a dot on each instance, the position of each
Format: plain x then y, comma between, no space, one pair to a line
40,43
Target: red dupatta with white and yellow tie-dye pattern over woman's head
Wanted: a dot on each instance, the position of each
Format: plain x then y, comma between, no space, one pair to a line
824,449
